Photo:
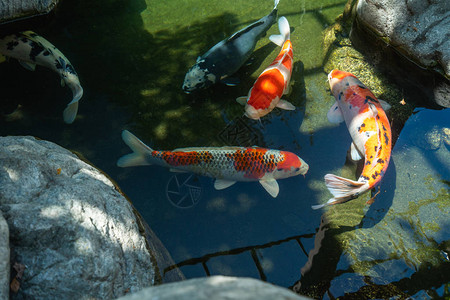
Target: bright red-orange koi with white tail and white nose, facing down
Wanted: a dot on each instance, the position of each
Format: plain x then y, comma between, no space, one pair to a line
273,82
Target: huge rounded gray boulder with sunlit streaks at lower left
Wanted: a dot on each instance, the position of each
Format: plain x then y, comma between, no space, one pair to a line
75,233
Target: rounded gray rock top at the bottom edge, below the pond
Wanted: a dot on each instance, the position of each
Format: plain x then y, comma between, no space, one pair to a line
216,287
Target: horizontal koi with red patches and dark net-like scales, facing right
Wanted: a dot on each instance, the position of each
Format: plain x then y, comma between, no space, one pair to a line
226,164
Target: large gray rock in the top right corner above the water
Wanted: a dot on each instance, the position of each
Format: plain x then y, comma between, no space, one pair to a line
418,35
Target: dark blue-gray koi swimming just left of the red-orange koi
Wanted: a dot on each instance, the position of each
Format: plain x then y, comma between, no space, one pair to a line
227,56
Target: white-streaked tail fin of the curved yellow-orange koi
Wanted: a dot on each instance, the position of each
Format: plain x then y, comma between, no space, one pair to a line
343,189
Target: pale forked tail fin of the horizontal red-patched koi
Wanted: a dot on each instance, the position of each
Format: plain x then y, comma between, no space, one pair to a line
140,151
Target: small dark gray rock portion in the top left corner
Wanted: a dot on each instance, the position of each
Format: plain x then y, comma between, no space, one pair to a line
17,9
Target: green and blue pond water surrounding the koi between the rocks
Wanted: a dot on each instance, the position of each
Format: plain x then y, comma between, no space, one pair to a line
131,57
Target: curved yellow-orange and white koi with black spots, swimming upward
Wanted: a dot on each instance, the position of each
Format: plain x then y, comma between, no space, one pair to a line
371,134
